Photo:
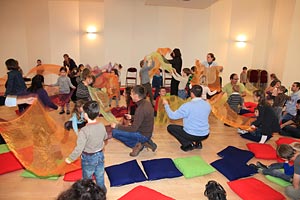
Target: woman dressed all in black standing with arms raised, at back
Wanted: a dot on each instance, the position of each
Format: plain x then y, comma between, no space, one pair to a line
176,63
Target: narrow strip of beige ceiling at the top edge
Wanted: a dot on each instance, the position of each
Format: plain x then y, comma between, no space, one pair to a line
194,4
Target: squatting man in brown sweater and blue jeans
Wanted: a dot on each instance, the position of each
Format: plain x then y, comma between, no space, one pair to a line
139,133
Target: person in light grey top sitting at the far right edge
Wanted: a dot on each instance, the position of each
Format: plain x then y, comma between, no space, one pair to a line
291,111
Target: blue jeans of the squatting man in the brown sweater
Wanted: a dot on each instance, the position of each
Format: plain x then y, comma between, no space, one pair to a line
130,139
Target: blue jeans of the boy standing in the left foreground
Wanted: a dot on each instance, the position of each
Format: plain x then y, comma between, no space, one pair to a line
93,165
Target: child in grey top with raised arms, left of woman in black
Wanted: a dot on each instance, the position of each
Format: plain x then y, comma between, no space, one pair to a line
146,66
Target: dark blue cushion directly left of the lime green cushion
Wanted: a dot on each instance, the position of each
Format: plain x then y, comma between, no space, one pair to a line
160,168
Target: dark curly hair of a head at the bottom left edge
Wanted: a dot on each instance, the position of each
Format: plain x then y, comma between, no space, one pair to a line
84,189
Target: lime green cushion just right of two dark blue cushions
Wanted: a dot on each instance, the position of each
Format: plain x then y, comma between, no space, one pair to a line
193,166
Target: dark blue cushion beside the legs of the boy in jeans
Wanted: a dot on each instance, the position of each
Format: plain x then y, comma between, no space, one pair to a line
125,173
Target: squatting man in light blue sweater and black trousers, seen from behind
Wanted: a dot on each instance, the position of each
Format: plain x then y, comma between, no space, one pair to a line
195,121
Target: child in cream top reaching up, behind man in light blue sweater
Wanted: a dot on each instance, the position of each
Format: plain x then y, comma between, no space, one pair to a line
183,79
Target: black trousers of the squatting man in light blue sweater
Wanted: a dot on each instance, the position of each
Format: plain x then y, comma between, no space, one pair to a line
183,137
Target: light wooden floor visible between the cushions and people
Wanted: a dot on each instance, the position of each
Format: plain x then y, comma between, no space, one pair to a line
13,186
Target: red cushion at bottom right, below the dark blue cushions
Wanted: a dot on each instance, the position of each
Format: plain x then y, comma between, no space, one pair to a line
251,188
